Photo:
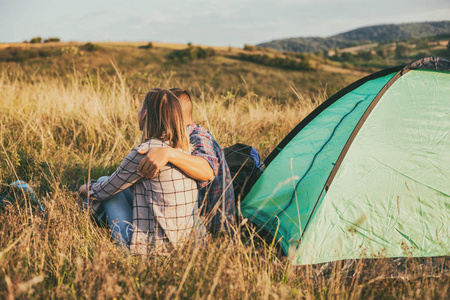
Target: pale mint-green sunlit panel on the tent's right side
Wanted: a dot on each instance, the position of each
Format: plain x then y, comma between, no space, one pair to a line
391,194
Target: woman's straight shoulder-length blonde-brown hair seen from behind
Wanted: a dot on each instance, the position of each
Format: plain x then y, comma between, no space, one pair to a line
164,119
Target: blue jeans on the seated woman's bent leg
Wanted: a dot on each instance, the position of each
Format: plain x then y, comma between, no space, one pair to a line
119,212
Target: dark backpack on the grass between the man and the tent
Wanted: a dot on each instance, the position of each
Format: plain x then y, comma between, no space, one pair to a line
245,167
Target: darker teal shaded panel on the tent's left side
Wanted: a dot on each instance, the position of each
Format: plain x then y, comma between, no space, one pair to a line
304,165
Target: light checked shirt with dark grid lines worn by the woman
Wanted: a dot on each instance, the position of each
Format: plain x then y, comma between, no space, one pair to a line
165,208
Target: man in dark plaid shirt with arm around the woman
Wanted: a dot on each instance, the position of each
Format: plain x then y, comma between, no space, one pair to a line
207,165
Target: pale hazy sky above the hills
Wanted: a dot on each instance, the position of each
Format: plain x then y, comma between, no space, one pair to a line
206,22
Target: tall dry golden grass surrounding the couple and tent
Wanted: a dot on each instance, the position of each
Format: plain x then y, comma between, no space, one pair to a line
55,130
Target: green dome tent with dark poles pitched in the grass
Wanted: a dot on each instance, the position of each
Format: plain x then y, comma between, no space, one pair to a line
366,174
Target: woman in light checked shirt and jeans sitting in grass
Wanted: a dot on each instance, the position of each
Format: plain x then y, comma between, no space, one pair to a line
165,208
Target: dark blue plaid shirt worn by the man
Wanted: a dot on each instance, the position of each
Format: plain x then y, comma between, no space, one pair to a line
216,197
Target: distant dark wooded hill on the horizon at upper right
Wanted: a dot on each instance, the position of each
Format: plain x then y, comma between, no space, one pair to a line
378,33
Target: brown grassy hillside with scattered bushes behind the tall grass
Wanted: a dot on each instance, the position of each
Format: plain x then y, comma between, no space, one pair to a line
265,73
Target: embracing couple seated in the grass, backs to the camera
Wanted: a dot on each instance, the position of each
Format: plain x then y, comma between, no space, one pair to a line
178,172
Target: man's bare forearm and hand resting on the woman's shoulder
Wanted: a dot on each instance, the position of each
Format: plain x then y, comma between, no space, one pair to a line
195,167
